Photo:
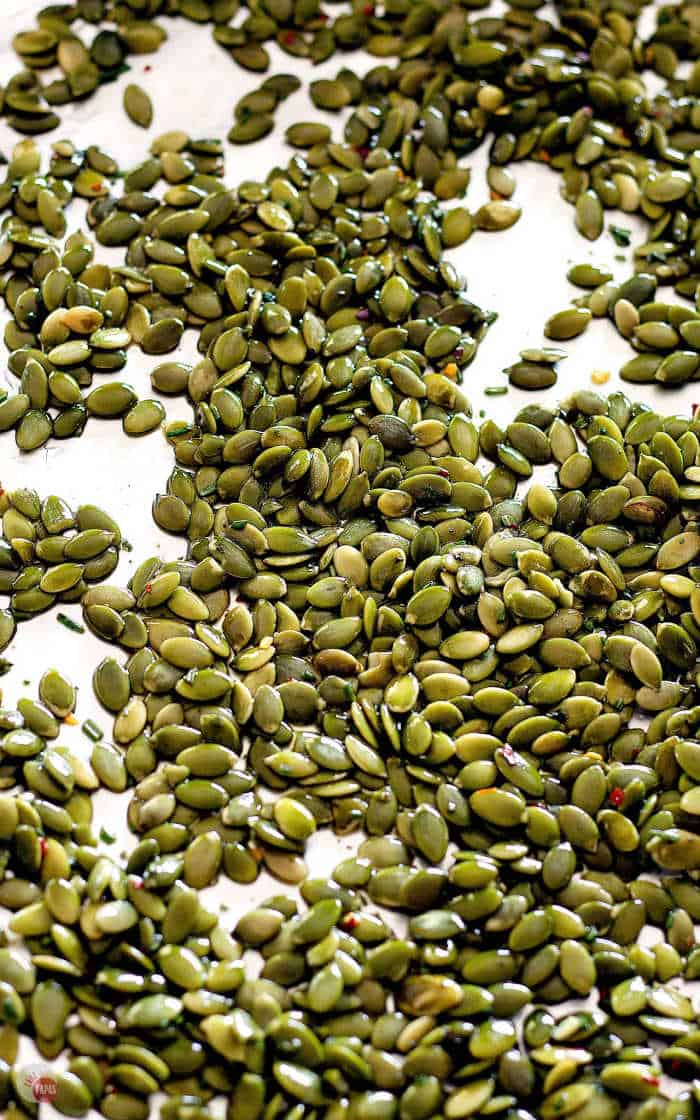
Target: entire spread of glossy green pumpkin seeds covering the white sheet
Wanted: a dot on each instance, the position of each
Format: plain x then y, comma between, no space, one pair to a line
489,678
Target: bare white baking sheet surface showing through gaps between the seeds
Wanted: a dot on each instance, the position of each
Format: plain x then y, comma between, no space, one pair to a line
521,274
